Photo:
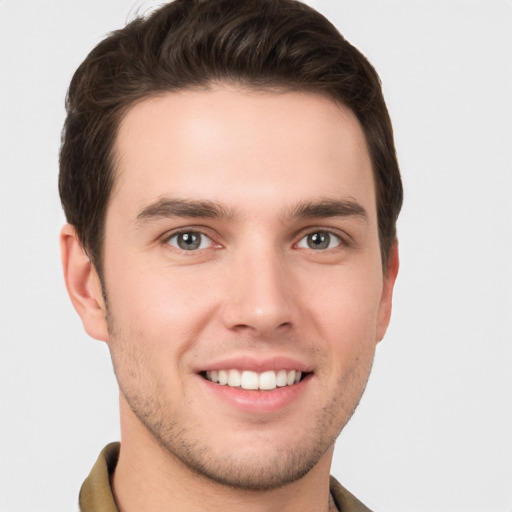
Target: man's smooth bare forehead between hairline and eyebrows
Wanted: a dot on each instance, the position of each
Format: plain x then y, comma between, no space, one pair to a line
229,144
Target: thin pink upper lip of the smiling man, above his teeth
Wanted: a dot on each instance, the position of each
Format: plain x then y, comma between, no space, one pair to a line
257,364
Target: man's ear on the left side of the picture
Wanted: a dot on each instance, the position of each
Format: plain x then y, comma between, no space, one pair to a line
83,284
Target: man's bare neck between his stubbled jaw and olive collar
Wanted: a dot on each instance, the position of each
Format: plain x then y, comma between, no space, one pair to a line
149,478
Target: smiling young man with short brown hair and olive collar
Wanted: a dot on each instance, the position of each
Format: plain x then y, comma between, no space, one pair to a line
230,182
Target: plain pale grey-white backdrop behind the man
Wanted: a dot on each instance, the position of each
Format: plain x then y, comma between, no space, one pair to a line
434,430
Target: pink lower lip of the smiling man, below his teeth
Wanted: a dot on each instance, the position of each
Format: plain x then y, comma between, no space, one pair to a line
258,402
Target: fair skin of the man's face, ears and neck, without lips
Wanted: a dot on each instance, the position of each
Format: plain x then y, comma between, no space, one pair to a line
255,288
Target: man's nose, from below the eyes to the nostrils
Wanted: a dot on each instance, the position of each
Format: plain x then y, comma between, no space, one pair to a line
259,294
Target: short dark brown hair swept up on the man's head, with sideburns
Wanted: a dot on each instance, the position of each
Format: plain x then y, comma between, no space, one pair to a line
276,44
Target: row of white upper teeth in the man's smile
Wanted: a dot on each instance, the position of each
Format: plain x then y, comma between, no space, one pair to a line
252,380
